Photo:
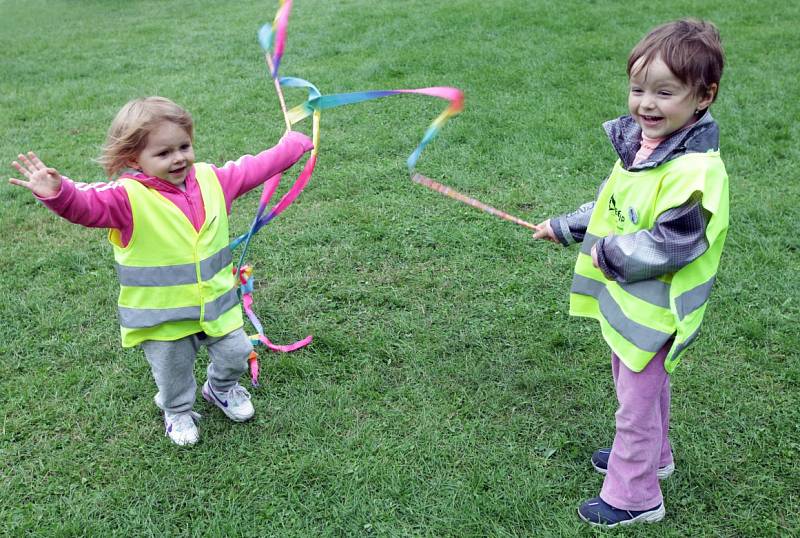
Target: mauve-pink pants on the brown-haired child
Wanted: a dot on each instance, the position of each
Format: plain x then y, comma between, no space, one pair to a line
641,444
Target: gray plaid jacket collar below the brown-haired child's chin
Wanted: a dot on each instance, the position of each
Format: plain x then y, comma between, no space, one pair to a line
626,136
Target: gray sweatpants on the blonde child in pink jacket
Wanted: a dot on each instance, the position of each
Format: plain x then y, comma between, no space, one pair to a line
172,364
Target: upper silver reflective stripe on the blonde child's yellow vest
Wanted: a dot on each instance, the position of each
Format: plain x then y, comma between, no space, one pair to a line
173,275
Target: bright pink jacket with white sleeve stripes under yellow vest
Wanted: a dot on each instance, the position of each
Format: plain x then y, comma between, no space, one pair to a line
106,205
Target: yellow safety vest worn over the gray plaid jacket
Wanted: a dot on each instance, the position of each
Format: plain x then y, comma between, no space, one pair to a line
637,319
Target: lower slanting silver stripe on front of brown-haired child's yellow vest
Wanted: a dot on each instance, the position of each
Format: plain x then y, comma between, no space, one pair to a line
637,334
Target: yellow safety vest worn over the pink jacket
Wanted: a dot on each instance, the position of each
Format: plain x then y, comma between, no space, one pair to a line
174,280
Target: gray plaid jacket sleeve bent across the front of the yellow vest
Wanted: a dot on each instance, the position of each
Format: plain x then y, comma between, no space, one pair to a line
677,238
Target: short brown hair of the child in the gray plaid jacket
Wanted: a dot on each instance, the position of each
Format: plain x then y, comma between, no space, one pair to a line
690,48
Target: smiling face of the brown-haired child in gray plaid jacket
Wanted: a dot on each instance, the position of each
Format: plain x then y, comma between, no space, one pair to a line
660,102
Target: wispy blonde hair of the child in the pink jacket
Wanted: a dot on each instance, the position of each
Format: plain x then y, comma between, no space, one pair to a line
128,133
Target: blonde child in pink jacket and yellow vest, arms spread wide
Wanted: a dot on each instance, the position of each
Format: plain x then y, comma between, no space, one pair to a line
179,255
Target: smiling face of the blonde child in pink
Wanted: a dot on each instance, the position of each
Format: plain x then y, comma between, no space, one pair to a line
168,153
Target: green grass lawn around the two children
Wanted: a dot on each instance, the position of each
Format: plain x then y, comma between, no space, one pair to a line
447,392
